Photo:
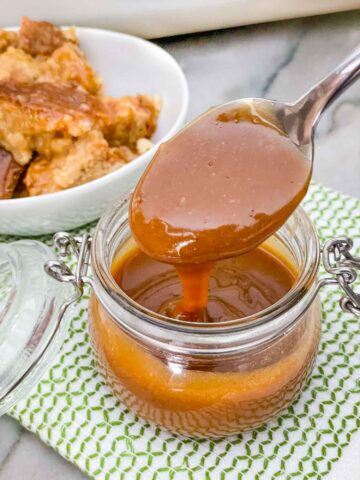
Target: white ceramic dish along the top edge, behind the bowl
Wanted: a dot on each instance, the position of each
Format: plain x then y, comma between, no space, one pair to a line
159,18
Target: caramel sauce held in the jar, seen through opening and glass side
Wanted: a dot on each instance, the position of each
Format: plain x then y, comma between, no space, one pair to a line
206,395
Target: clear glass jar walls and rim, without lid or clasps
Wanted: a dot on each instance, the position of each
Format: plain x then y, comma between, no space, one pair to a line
206,380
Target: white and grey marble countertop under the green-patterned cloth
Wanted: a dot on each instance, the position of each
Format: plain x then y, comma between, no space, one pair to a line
277,60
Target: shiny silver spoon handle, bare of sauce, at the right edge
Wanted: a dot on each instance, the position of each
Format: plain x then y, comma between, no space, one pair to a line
310,106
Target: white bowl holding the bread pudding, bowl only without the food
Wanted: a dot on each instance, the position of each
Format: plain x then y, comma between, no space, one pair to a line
128,66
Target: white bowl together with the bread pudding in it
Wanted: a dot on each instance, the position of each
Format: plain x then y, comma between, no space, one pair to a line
118,140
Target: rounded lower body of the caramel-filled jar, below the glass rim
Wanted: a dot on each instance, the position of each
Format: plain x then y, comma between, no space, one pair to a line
207,397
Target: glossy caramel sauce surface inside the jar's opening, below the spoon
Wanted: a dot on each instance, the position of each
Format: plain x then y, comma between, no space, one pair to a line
238,286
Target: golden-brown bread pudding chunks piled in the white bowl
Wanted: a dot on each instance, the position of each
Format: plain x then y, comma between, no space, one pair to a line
57,129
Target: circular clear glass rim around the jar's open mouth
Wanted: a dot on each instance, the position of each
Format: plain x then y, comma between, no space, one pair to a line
106,287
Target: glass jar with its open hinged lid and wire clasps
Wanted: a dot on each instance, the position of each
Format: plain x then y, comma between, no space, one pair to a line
202,380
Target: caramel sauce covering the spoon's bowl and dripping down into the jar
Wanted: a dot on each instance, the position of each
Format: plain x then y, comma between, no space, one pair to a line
218,189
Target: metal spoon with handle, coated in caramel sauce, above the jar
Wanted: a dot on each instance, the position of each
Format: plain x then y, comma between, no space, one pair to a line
184,210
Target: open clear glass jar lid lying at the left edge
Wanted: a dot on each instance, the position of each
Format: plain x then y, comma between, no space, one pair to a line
30,310
